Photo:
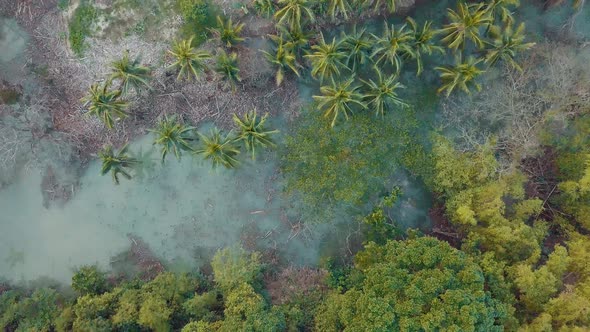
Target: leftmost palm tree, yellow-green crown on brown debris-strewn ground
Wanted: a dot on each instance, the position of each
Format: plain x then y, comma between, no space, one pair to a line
106,104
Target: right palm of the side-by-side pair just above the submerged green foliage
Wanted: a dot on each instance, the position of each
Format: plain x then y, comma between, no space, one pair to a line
382,95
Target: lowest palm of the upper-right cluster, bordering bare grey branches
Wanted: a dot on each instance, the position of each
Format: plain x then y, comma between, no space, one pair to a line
461,76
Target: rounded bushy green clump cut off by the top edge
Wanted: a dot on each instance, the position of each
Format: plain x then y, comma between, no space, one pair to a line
199,16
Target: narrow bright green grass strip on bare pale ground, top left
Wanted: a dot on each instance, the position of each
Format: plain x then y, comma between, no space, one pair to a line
80,27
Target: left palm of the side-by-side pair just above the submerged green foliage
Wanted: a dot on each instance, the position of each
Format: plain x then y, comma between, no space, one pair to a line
339,98
